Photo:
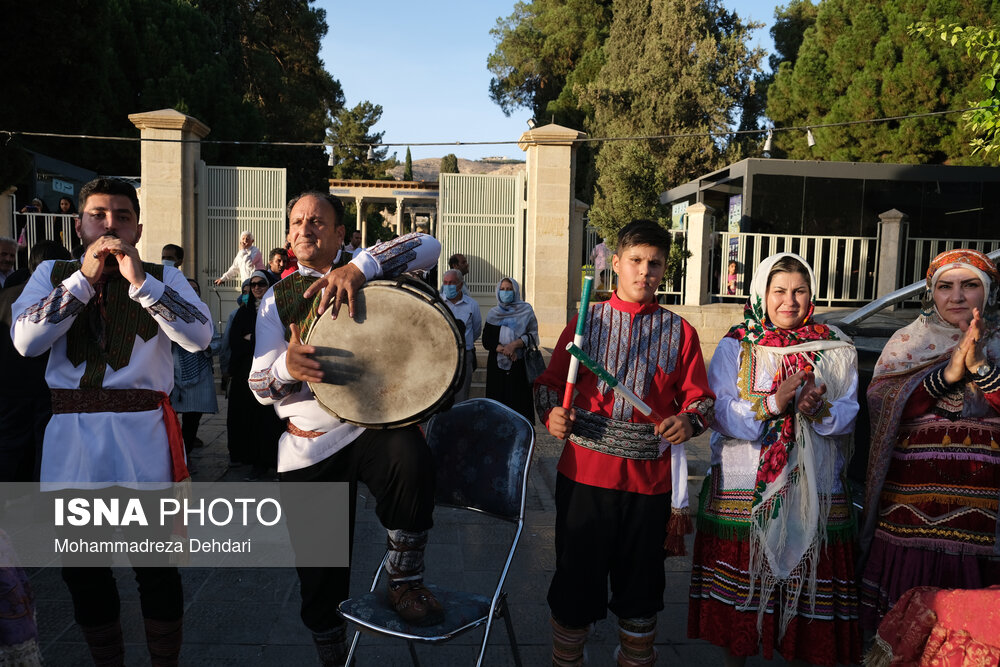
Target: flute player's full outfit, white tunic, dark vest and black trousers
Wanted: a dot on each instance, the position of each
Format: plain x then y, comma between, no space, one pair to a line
110,371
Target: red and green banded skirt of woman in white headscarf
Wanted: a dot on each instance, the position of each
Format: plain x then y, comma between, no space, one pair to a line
826,634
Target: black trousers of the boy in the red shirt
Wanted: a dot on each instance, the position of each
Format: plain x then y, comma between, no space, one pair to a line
602,533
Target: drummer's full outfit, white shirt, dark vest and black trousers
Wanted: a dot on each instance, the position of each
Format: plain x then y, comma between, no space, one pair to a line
395,464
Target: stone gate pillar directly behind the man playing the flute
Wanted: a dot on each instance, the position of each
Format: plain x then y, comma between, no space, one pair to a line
167,196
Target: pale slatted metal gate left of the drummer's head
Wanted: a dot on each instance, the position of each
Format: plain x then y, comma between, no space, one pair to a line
232,200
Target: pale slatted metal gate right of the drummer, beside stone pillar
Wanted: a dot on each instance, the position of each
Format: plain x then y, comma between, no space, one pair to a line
482,217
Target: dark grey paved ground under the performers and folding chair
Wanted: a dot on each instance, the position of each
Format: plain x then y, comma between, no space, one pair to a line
250,617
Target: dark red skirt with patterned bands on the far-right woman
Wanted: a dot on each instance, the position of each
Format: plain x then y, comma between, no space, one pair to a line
938,513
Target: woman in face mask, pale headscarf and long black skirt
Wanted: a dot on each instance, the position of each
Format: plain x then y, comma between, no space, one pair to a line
510,327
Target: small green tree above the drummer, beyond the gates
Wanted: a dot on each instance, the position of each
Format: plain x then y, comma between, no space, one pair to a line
352,137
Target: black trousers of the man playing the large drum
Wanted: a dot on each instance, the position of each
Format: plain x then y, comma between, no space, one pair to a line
398,468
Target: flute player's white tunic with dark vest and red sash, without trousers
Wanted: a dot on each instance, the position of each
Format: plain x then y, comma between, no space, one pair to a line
110,370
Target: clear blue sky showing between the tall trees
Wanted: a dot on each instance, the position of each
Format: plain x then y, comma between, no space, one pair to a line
425,63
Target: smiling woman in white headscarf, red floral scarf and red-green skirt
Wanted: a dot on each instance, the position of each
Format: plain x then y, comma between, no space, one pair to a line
774,554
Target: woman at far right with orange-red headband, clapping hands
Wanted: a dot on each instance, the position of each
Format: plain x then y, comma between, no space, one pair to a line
934,463
